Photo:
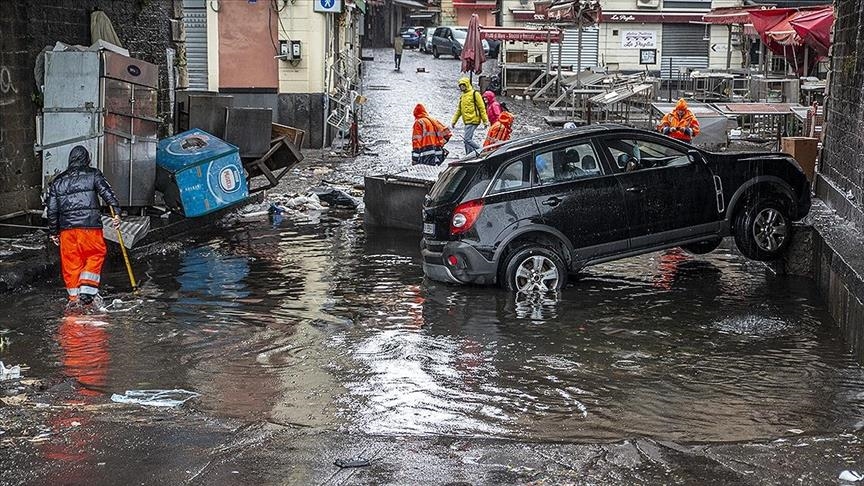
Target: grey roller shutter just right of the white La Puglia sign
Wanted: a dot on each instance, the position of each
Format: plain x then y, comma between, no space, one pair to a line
683,47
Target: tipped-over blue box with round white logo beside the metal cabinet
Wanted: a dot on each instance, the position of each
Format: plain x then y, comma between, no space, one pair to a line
198,173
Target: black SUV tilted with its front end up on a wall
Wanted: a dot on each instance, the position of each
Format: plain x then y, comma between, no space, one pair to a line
526,213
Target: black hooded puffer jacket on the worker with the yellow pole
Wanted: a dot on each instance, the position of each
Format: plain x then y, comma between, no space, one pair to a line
73,198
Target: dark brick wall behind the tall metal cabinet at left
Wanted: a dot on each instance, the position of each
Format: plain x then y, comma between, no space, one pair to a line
27,26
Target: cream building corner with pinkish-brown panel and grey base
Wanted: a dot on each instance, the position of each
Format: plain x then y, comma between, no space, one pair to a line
301,58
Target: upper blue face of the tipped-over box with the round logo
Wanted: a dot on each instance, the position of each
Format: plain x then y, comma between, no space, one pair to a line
190,148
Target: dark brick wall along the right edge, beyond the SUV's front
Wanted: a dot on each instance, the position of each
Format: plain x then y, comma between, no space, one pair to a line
842,166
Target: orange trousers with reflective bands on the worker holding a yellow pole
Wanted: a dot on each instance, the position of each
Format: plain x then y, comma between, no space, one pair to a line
82,253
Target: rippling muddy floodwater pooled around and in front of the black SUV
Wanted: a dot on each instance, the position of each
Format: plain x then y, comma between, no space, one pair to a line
321,324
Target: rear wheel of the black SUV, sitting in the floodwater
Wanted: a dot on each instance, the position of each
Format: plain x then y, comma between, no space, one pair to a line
526,267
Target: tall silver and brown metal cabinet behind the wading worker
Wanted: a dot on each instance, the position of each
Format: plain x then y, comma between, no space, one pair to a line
107,102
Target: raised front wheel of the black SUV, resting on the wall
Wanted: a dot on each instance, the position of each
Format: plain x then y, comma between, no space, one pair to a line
762,229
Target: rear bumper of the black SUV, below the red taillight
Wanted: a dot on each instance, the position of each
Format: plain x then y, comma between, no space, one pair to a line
471,267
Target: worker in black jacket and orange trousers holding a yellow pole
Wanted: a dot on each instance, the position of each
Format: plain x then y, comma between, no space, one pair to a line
75,224
